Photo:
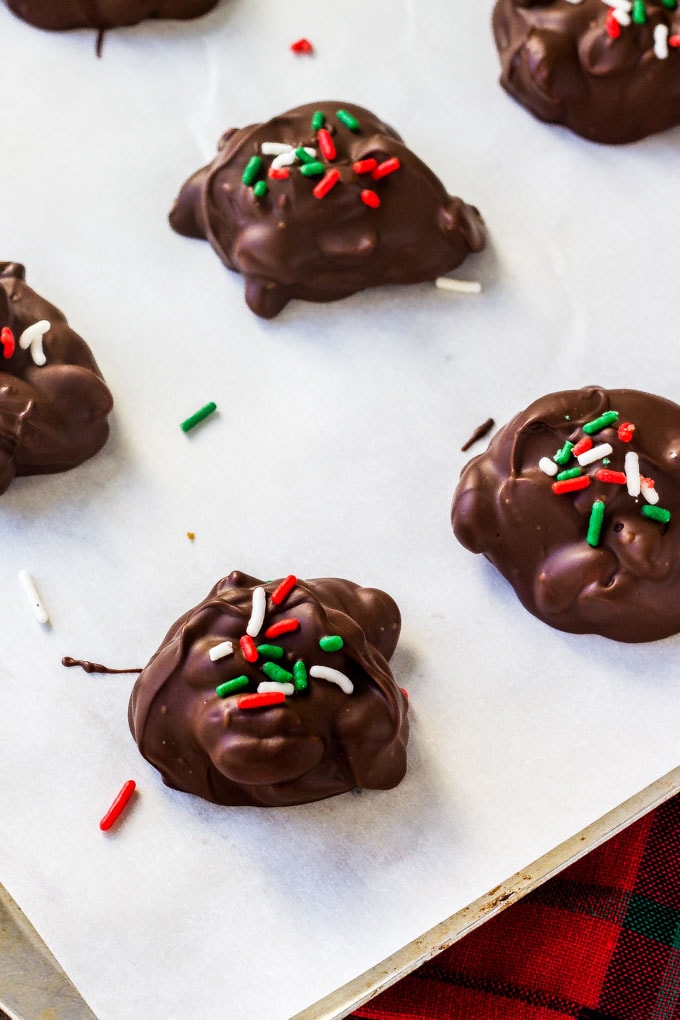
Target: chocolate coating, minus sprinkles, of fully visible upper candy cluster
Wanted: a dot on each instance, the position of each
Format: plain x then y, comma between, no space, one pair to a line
291,244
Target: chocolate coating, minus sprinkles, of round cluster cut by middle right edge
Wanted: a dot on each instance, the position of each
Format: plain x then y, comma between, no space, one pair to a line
626,588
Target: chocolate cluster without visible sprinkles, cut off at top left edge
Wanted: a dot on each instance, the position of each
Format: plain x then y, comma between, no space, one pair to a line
62,15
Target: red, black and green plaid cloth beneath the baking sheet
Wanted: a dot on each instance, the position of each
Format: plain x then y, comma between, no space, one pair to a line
599,942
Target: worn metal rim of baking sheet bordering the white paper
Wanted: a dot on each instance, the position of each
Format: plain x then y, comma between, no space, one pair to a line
32,983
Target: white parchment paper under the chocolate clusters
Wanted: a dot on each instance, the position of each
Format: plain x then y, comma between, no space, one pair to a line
335,451
